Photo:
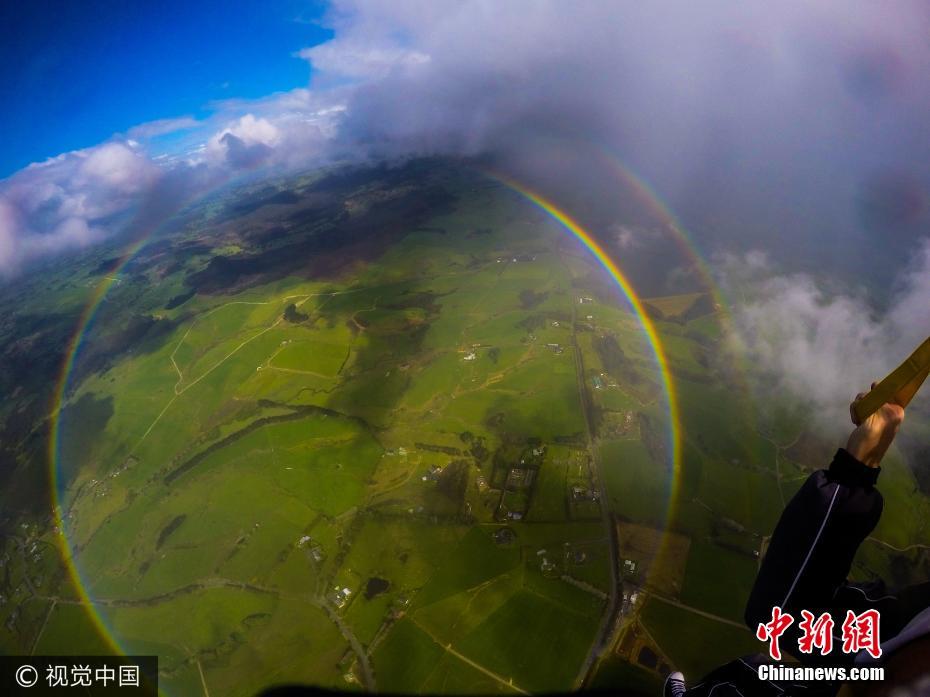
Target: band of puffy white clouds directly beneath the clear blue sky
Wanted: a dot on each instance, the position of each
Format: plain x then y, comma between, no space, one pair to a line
126,186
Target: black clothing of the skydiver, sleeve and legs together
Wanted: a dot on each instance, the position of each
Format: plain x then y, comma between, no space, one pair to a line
806,568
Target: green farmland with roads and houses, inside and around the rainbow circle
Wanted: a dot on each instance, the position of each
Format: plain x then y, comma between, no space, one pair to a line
369,452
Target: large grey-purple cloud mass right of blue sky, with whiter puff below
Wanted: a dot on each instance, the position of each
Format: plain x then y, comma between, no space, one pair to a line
797,128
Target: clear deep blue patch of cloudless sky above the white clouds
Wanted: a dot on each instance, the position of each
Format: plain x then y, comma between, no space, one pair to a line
77,72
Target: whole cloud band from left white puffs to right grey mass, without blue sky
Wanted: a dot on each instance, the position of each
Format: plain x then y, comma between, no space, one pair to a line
796,127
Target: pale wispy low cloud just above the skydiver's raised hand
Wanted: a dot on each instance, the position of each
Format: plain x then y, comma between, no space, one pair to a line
824,345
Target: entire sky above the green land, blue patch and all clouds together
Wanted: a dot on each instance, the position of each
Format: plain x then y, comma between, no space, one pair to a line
797,128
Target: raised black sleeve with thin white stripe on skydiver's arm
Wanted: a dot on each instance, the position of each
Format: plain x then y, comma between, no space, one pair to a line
812,548
